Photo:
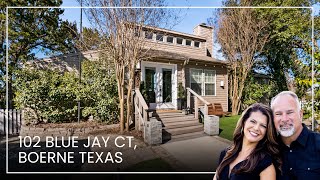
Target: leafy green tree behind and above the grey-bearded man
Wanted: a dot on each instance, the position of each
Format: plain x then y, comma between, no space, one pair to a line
286,56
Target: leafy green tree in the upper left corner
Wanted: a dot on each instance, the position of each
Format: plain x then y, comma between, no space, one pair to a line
31,30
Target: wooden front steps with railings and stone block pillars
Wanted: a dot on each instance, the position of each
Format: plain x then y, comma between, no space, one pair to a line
161,126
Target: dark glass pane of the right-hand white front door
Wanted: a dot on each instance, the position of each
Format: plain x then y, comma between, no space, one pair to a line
166,85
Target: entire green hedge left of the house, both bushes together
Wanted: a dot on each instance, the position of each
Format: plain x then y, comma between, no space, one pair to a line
52,96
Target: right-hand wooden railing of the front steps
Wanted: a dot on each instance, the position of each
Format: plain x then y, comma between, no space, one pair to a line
197,98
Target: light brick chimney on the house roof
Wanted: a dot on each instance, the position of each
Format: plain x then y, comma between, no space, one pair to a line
205,31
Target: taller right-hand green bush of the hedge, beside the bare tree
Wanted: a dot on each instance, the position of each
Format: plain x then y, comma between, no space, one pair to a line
98,92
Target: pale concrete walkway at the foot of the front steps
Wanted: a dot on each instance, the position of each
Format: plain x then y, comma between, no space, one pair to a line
199,154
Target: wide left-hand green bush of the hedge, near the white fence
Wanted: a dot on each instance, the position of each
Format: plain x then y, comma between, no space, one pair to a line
50,95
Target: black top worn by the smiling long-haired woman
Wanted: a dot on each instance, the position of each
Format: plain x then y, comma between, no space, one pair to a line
255,174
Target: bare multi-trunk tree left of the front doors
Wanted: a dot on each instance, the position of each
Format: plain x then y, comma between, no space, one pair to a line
122,28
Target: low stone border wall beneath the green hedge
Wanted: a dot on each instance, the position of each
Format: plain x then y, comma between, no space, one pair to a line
67,131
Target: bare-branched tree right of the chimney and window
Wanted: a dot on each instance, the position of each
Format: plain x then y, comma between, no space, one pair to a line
242,36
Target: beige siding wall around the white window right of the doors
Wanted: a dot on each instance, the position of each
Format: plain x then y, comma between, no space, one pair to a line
221,75
